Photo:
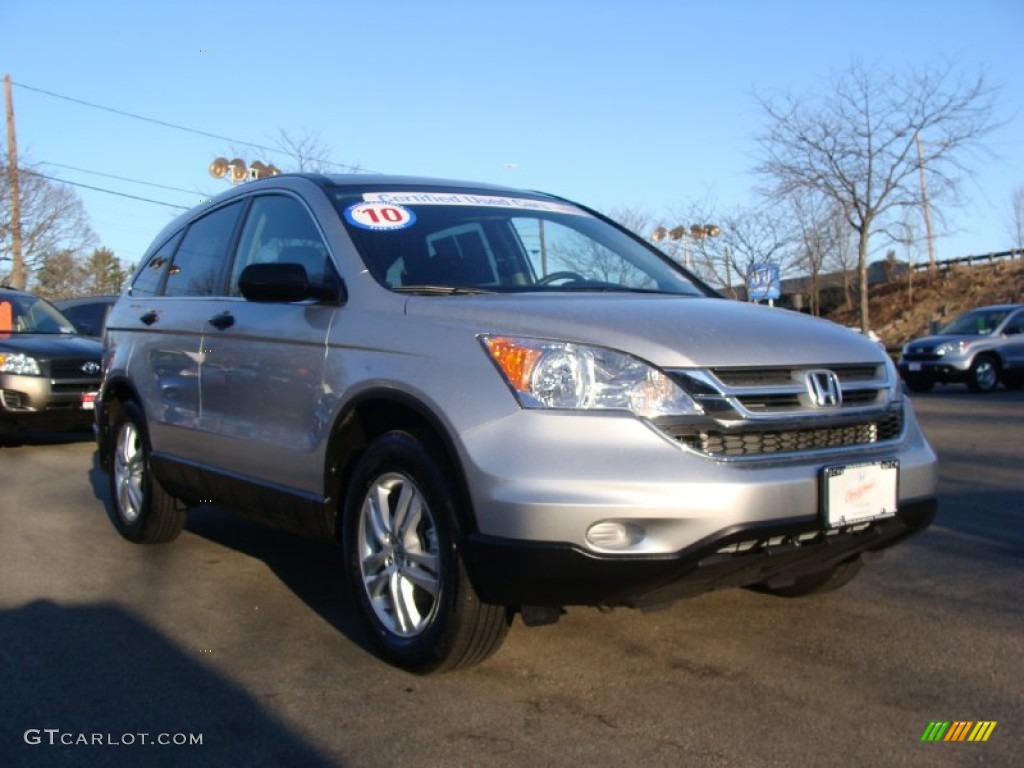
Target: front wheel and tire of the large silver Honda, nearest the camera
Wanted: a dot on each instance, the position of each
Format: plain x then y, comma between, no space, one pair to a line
403,558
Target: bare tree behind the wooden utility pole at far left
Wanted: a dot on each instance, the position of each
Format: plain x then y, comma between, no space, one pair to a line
54,221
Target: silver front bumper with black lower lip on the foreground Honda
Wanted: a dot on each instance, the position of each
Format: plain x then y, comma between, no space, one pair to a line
585,510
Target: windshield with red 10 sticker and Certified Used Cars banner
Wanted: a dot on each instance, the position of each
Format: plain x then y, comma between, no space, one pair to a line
461,242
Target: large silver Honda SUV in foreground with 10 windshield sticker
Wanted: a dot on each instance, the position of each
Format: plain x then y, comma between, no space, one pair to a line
498,403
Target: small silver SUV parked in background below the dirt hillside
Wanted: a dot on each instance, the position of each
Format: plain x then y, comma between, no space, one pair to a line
979,349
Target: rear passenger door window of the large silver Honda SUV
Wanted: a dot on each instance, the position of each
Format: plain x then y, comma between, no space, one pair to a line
197,267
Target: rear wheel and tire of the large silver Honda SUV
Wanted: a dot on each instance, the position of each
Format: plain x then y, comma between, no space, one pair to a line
144,511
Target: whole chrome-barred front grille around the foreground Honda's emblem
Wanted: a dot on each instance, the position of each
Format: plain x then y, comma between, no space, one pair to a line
771,412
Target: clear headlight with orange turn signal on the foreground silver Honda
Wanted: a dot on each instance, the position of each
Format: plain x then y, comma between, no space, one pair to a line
564,375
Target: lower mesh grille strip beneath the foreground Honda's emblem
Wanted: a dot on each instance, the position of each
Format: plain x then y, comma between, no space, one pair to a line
720,443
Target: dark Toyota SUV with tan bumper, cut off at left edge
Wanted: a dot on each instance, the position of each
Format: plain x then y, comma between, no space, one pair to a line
50,374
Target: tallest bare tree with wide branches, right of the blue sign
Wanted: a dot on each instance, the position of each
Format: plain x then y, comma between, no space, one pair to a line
856,145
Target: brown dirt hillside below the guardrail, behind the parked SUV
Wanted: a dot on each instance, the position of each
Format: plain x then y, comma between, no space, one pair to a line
903,310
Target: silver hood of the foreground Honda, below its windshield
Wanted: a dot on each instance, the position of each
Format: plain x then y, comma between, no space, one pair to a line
668,331
